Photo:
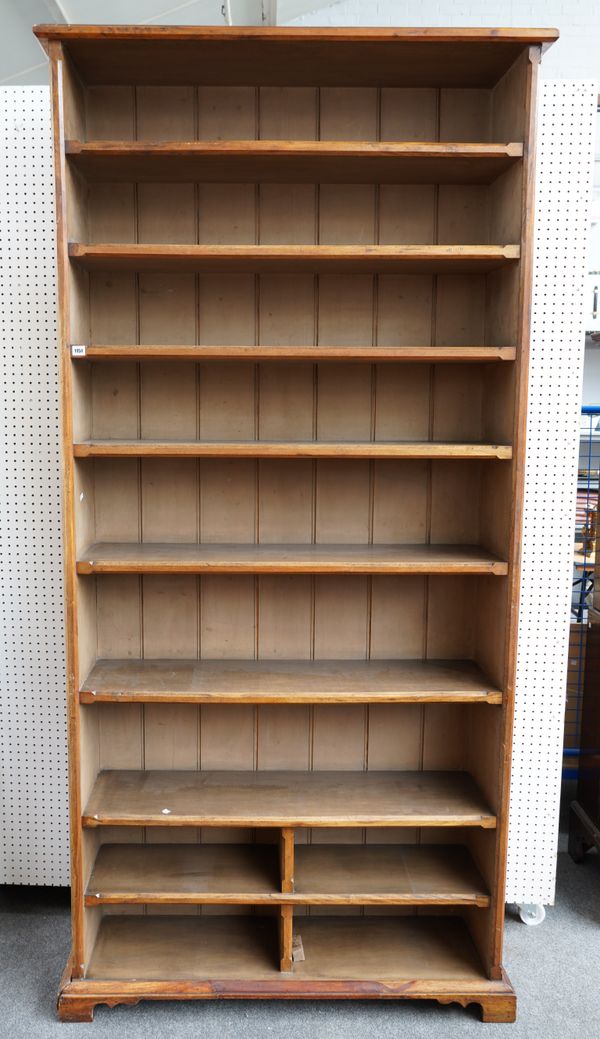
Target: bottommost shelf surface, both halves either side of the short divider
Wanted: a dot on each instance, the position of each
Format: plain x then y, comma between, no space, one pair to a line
345,948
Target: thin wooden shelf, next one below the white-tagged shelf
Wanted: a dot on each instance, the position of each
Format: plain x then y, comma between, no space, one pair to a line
291,449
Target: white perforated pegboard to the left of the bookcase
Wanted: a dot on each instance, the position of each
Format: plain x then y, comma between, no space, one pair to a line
34,802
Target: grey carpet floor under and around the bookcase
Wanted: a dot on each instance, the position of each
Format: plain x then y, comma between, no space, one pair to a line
555,968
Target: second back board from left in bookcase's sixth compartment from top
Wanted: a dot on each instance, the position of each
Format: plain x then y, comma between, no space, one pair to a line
171,617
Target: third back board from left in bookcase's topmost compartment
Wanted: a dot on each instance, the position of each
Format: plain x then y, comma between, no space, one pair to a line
227,113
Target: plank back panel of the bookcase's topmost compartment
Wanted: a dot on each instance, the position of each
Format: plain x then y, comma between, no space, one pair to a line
230,113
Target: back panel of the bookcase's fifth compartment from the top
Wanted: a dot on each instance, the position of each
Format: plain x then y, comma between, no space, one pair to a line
246,501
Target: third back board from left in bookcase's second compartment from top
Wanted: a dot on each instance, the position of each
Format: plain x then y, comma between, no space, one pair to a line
227,215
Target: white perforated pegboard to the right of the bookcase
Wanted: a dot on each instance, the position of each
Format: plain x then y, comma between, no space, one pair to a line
563,195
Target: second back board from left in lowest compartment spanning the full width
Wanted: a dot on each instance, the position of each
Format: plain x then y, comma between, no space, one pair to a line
171,736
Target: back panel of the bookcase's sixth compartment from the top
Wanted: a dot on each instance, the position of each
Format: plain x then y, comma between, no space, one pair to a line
295,618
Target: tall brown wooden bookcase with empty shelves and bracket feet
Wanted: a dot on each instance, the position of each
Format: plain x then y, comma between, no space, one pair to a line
295,273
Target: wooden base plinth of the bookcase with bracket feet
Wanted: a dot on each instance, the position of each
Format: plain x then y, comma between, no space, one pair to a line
79,999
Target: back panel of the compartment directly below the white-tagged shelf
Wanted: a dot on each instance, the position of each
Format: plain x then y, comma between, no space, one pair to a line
295,402
